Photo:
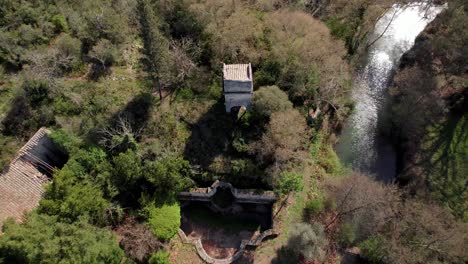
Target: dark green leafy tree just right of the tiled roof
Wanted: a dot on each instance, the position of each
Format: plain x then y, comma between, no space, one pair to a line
80,187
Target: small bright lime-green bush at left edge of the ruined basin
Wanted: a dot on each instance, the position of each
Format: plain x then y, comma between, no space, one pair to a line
164,220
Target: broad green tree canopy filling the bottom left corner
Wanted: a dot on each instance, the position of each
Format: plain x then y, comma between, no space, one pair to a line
43,239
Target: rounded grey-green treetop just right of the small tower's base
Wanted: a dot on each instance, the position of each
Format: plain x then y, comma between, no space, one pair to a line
270,99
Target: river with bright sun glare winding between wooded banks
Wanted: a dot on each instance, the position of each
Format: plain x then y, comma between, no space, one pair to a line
363,145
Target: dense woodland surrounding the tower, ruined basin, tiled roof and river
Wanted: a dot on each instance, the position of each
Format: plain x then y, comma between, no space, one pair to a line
132,91
